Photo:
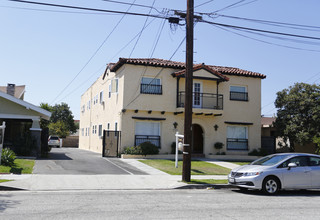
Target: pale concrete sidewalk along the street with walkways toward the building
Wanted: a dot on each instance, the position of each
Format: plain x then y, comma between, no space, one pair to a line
155,180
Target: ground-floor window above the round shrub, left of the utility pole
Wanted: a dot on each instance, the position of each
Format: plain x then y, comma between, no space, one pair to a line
147,131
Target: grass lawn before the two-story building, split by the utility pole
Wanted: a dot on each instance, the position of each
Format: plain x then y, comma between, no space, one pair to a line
197,167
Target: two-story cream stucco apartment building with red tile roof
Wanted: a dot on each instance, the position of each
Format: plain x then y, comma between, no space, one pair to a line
144,100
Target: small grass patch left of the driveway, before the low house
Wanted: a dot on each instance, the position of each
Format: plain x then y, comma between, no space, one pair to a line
21,166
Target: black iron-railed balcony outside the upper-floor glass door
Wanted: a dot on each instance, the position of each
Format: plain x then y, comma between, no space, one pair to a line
202,100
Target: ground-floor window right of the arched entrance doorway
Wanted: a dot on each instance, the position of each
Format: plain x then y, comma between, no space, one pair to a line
237,138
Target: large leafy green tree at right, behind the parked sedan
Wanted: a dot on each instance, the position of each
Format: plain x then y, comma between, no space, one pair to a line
298,114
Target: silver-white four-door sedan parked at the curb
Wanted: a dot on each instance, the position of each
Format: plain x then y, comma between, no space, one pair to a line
278,171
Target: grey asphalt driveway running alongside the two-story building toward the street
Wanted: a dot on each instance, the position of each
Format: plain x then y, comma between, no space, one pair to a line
82,162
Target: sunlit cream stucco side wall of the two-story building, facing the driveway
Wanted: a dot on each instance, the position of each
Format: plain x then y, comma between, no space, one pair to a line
100,114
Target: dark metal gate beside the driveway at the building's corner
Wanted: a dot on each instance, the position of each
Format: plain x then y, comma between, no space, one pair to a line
110,143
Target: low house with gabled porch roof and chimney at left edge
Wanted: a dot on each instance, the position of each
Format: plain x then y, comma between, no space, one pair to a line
20,118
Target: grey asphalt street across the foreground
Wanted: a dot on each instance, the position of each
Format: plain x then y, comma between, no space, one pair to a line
159,204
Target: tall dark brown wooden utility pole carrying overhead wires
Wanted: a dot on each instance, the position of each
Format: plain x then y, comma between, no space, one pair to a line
186,169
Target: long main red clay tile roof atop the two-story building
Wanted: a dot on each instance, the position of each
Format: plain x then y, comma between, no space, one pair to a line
180,65
